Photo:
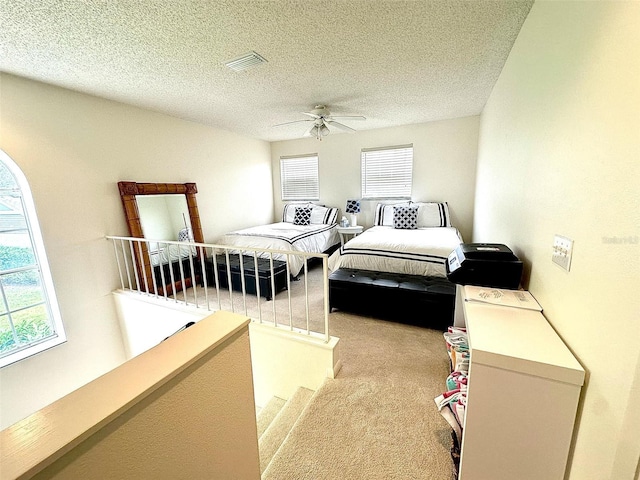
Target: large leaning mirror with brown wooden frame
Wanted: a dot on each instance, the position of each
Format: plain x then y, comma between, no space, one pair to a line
163,211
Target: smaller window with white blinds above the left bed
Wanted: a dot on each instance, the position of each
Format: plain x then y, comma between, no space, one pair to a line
299,177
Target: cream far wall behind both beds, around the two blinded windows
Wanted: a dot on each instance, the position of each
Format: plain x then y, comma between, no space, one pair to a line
444,165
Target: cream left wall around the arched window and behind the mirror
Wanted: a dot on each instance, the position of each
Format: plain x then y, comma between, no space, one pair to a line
73,148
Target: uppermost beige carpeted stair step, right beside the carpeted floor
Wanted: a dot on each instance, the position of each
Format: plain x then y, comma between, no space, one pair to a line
273,437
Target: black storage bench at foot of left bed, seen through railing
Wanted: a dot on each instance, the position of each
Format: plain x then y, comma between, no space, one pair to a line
248,264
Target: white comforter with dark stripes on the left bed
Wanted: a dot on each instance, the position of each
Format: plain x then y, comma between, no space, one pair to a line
316,238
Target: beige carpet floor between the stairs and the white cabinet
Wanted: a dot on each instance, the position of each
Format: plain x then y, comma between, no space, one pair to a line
377,419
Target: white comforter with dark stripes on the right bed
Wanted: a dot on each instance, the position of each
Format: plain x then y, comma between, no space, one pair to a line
422,251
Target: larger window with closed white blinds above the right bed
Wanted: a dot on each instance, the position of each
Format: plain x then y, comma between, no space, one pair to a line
386,172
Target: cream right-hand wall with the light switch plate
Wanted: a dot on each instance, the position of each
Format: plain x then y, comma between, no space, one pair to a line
559,154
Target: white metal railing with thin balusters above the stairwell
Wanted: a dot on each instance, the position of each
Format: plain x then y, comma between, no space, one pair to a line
223,277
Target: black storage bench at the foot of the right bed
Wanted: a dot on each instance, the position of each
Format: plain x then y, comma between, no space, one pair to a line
413,299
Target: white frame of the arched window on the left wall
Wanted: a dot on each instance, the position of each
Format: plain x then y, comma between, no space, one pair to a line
50,301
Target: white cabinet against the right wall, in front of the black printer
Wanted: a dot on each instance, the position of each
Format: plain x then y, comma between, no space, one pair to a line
524,387
